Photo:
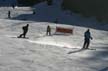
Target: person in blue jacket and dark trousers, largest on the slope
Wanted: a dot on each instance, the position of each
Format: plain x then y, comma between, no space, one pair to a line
87,37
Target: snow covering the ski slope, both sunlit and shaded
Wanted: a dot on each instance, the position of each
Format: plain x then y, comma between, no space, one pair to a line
50,53
